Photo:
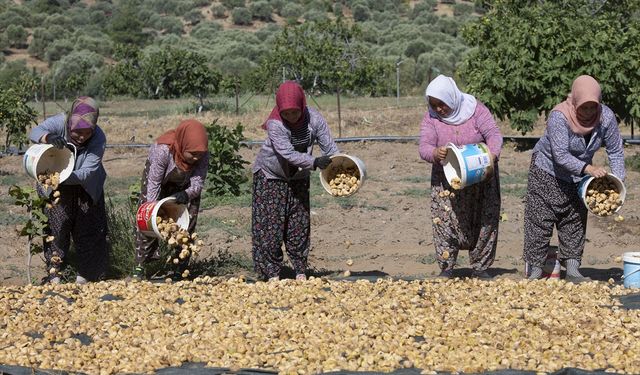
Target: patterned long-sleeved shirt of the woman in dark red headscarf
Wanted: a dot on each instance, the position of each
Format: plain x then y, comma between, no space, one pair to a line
277,157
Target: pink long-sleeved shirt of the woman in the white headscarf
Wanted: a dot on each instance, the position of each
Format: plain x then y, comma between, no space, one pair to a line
481,127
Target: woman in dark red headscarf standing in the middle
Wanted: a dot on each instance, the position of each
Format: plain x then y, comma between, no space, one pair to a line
280,208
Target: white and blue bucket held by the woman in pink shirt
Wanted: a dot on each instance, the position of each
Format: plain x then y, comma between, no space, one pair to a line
469,163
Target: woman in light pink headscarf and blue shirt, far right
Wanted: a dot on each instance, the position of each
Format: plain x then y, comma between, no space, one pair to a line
576,129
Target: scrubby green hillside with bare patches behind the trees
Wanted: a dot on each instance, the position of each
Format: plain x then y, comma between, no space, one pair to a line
233,34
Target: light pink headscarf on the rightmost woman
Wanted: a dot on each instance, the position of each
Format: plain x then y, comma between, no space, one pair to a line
584,89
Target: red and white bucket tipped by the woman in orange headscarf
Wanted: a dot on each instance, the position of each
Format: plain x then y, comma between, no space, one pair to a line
165,208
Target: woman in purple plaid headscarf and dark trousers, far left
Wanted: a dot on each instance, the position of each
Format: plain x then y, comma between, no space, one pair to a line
80,212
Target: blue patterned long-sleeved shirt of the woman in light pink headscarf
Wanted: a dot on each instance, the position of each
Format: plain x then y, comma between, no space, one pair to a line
564,154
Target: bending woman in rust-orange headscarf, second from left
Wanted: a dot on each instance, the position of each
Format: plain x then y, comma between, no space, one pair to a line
176,166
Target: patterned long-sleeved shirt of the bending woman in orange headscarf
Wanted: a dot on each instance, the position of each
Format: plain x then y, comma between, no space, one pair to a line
163,169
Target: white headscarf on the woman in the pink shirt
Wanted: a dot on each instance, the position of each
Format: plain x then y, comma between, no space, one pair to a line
463,105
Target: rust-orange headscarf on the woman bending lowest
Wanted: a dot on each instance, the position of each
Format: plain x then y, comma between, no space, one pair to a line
189,136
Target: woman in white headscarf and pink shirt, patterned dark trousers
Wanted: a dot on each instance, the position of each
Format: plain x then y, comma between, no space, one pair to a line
467,218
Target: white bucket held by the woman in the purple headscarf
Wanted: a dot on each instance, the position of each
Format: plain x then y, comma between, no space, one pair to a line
41,158
